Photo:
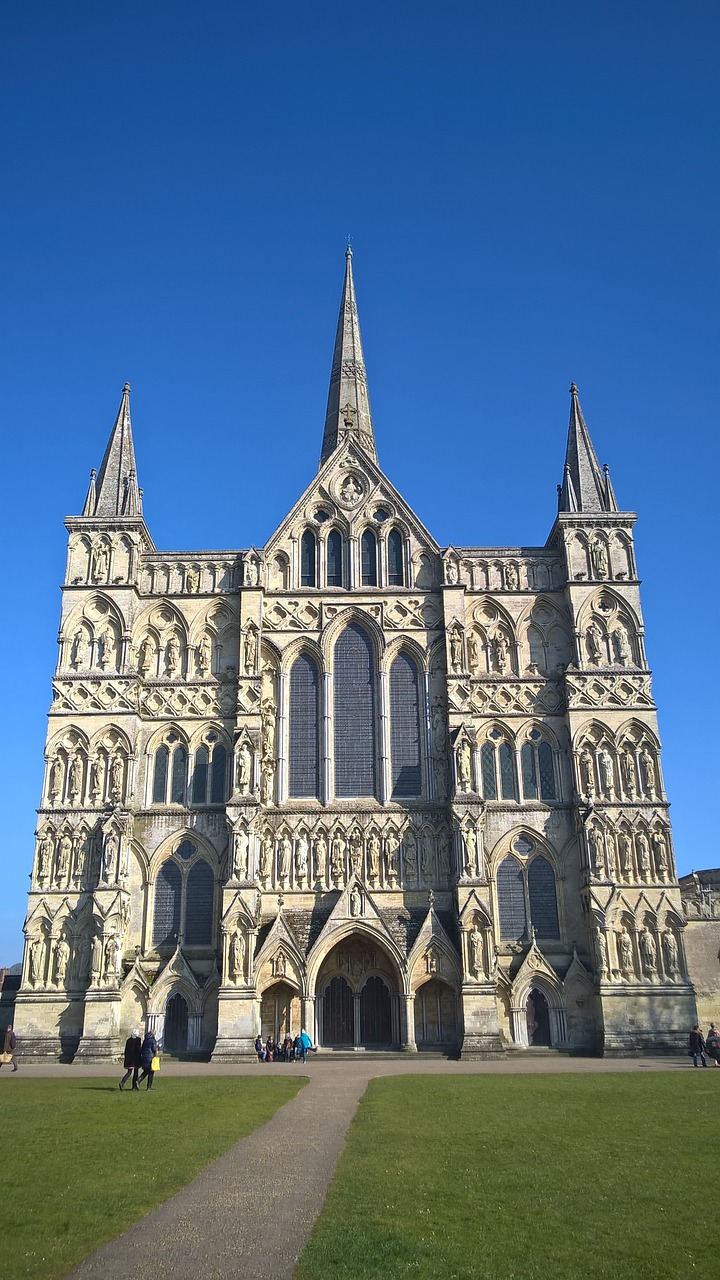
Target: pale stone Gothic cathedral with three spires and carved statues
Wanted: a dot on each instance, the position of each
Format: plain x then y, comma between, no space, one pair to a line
407,797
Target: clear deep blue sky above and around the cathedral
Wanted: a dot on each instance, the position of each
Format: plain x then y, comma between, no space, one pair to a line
532,194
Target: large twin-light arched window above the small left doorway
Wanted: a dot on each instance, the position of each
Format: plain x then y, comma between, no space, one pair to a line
185,899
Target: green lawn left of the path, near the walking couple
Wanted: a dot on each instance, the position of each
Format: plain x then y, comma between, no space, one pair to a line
81,1160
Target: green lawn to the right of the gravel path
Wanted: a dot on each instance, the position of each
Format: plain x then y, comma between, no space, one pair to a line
511,1178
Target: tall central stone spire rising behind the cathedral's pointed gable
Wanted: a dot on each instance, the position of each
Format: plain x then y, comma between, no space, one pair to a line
349,408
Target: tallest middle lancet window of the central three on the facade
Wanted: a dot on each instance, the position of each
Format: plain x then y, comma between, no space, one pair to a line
354,715
